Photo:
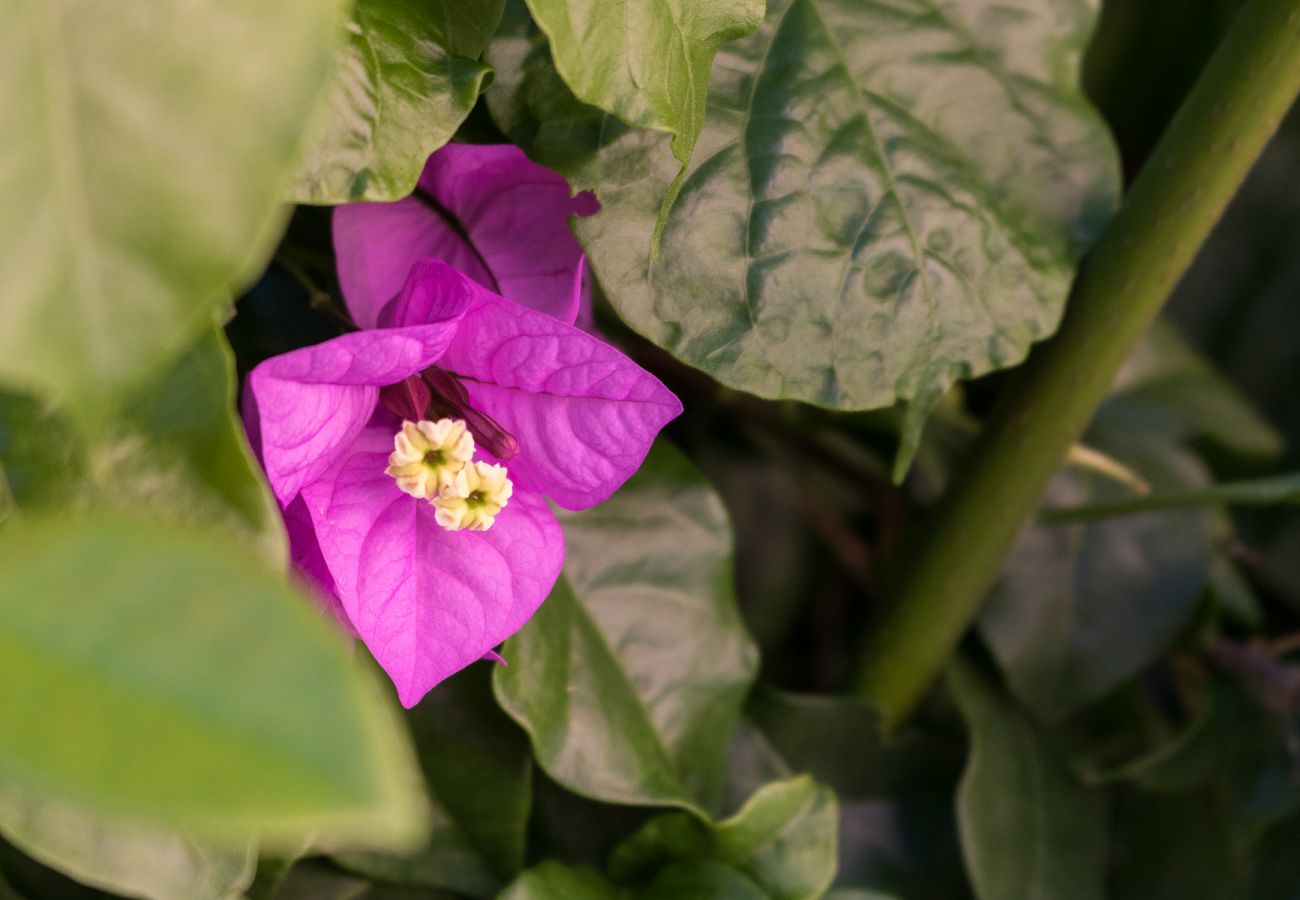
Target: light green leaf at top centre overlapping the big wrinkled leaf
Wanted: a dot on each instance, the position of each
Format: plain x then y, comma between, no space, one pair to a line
647,63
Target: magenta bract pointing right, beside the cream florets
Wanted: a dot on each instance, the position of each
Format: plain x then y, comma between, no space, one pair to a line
584,414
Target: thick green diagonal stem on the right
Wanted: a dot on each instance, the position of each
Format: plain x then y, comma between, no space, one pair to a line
1207,152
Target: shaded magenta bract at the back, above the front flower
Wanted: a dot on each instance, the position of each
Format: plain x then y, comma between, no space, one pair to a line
487,210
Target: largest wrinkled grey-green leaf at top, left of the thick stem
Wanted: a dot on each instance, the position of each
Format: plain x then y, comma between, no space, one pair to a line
885,198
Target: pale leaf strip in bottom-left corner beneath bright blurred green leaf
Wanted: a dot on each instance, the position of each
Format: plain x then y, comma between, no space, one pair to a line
118,856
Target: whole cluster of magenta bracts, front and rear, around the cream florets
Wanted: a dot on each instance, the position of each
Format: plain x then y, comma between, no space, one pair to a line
579,416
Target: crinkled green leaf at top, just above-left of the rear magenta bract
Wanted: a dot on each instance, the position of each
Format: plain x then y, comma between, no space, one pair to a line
397,98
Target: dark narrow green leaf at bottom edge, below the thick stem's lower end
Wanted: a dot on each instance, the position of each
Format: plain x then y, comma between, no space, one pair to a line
1029,829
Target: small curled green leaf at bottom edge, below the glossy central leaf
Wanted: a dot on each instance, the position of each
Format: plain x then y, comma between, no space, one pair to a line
783,840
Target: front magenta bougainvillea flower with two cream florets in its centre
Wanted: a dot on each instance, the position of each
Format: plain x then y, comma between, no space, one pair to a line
435,569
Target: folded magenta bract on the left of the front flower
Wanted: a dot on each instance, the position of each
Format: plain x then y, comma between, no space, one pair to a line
304,408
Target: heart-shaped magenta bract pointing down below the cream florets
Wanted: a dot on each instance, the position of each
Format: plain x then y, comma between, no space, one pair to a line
428,602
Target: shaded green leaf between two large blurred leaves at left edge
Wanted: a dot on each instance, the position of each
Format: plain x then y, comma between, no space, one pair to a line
172,448
